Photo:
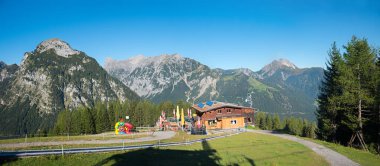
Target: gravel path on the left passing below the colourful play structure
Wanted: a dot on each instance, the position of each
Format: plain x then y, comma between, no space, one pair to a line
150,137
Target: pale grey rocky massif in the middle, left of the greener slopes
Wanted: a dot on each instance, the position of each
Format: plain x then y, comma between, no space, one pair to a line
165,77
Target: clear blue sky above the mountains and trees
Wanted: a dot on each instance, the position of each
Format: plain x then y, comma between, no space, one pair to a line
223,34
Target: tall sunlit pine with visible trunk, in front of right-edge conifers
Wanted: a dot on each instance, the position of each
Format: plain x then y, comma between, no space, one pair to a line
357,81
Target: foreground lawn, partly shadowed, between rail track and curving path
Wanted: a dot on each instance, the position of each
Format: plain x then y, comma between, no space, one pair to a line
242,149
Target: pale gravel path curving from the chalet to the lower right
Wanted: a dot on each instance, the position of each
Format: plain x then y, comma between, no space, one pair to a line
334,158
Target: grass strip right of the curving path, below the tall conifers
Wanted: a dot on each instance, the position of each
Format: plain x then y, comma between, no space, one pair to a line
359,156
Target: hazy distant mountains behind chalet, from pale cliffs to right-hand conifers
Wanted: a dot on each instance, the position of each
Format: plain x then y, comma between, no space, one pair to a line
279,87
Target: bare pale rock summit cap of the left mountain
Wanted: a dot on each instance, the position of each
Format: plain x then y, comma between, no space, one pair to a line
60,47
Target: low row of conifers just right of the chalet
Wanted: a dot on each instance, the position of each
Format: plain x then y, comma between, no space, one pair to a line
291,125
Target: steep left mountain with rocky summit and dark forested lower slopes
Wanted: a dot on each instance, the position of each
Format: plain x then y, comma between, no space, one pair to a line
51,78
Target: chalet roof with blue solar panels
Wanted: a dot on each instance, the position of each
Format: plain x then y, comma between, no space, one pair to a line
212,105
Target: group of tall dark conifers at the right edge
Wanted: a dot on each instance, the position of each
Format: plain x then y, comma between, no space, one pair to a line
349,101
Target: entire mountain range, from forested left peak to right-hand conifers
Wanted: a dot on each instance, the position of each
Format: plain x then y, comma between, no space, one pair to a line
54,77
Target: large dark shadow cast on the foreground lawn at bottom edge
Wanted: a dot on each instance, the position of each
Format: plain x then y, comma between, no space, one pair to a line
154,156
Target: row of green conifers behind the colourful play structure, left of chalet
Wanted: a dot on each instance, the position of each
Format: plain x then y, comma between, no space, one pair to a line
103,116
